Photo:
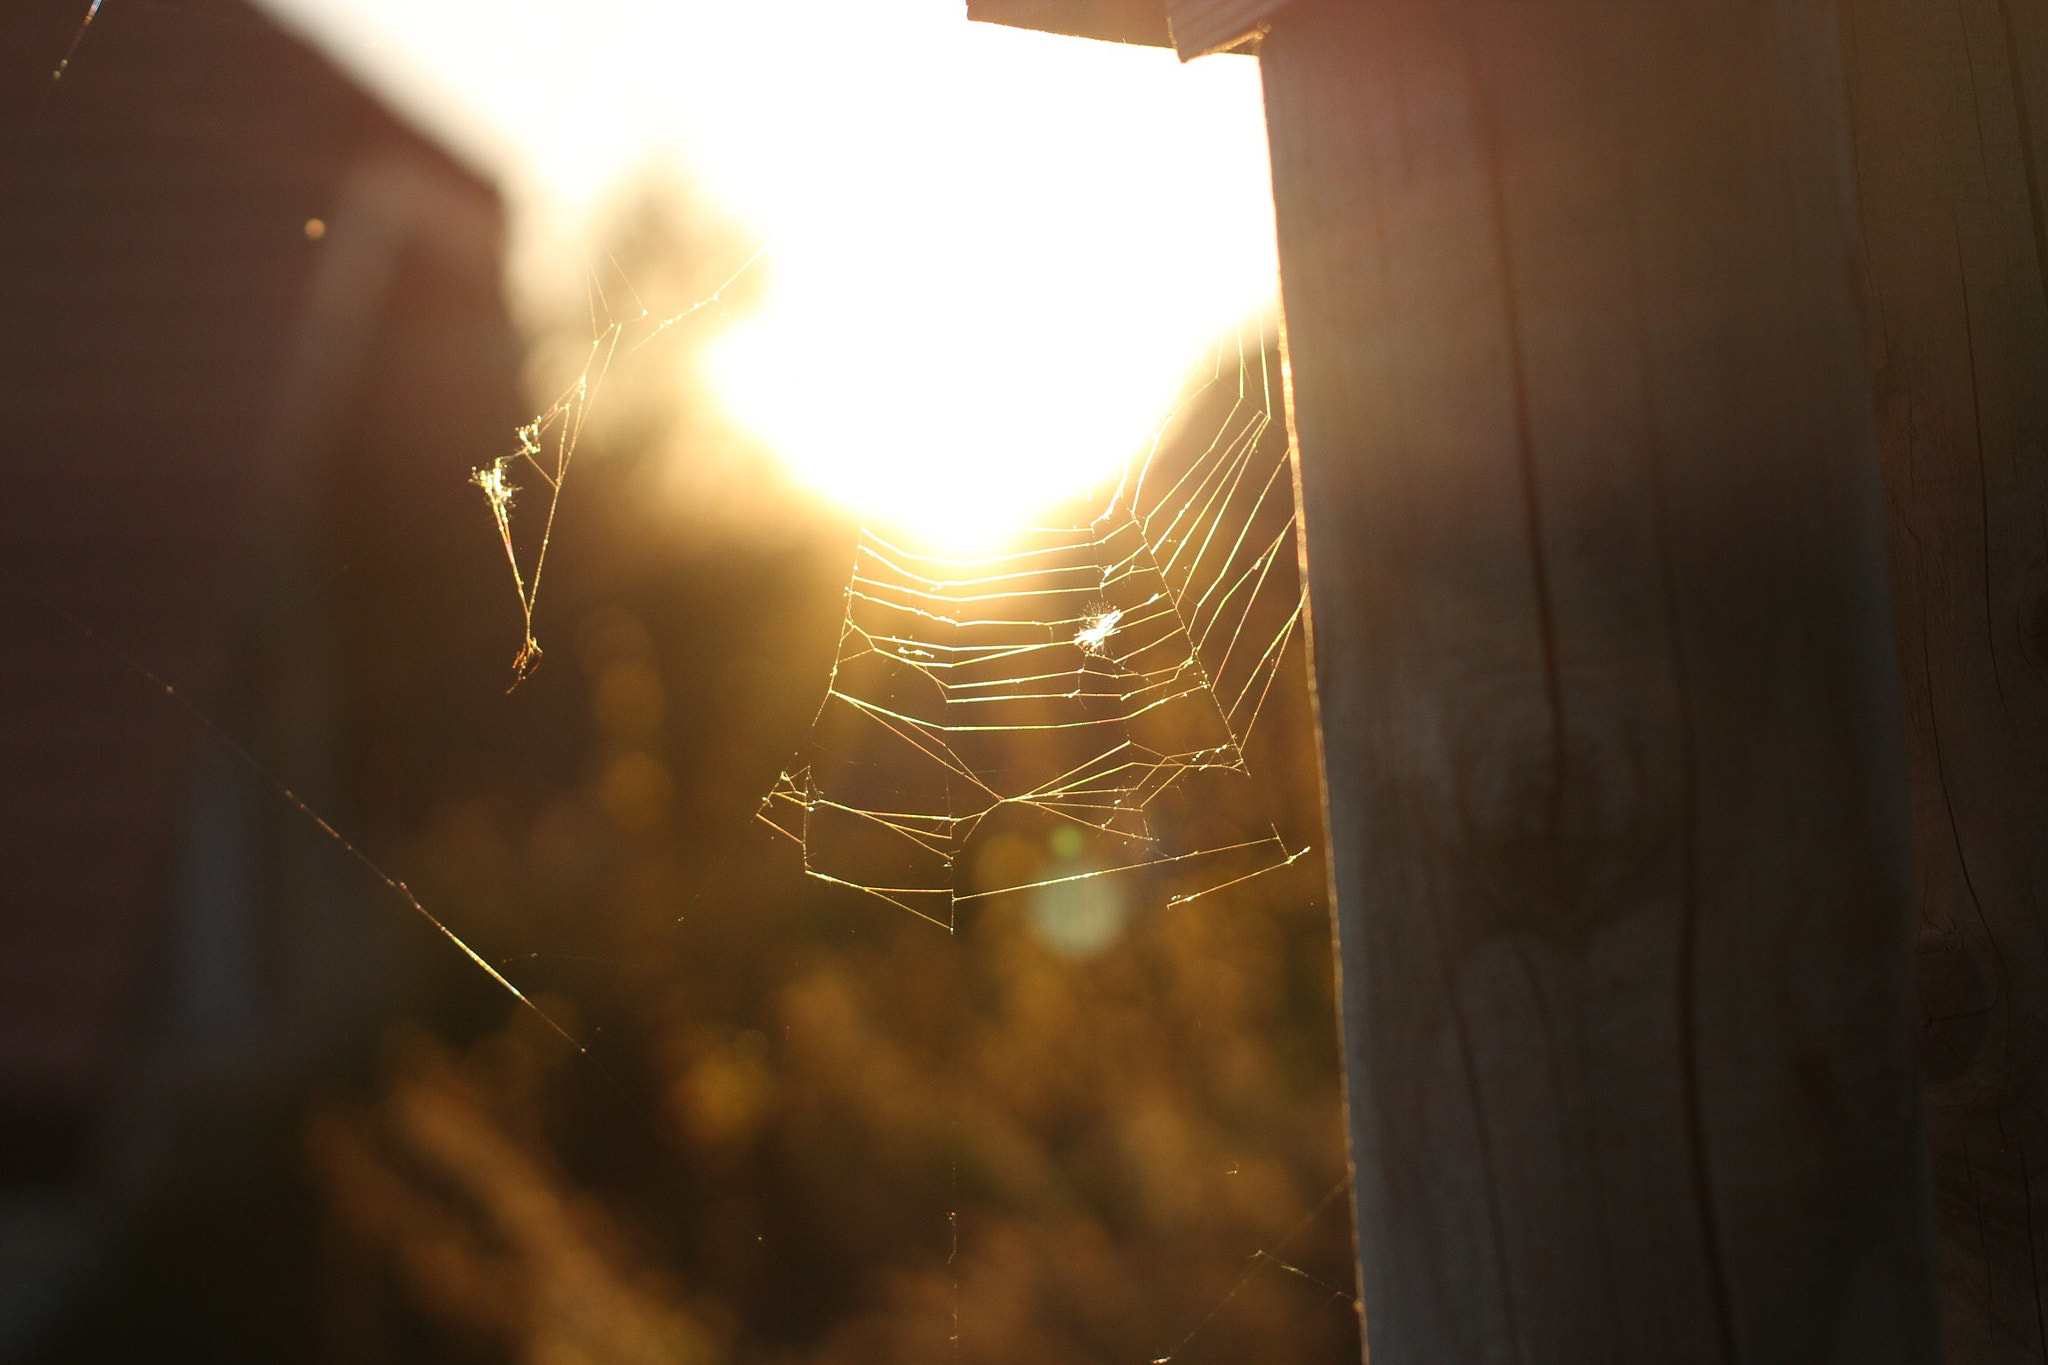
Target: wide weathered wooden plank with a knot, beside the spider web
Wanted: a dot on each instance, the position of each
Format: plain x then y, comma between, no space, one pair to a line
1607,680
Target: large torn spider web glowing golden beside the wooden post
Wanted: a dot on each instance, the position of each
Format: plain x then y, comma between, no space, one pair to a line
1068,717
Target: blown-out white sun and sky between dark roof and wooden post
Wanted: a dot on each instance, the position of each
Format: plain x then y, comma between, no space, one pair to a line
994,255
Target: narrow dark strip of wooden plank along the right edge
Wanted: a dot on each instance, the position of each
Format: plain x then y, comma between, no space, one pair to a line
1951,120
